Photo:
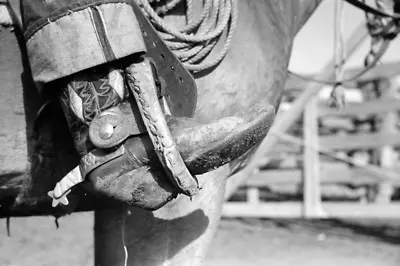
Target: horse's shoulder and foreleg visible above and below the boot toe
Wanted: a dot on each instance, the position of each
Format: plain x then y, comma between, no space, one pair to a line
255,68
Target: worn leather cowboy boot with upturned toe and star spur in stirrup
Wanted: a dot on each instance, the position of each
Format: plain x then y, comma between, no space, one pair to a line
129,168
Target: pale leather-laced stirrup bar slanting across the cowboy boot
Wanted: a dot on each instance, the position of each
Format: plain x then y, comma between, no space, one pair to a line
141,82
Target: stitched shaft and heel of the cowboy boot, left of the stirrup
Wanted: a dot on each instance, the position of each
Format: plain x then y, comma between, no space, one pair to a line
86,95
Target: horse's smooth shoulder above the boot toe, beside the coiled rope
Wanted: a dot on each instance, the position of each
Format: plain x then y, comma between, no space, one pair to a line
256,65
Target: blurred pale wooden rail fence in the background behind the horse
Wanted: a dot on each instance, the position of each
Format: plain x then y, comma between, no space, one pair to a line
354,177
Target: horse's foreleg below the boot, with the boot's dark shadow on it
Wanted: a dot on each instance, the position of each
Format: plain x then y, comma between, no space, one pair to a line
177,234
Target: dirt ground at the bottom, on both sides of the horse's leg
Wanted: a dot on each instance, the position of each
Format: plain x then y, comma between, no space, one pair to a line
35,241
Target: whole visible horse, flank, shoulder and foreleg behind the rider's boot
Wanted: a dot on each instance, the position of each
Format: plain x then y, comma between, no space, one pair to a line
253,72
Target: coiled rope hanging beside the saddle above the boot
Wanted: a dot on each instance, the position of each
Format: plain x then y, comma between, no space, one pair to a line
193,44
